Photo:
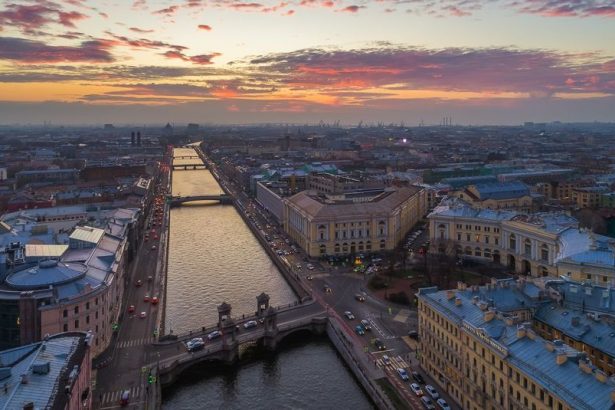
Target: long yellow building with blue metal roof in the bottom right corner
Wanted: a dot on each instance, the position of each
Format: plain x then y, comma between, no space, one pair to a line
476,345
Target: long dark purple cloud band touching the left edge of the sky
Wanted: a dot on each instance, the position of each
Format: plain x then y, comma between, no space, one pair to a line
30,51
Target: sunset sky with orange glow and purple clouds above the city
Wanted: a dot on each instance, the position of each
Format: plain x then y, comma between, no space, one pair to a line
304,61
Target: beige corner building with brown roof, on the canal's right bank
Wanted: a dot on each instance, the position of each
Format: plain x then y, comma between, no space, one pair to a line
369,220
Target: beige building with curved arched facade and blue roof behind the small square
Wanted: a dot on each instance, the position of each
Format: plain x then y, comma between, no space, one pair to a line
530,244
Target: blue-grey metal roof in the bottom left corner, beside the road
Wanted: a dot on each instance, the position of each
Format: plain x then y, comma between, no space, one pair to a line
59,351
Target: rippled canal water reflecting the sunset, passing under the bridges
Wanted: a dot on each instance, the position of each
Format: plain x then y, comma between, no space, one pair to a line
214,257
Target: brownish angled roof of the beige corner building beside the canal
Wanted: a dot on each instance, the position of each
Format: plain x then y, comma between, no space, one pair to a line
381,205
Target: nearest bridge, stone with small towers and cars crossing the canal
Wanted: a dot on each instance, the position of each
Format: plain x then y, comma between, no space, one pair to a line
274,324
